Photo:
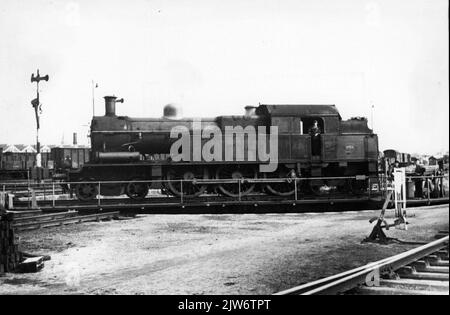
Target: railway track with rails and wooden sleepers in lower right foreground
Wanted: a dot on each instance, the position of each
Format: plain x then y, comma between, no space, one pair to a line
421,271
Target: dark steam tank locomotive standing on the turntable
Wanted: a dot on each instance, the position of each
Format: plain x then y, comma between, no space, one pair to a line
134,150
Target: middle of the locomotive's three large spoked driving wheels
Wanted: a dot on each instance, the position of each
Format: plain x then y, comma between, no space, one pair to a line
236,173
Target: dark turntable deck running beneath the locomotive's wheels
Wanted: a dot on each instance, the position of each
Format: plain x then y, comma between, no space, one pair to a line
211,202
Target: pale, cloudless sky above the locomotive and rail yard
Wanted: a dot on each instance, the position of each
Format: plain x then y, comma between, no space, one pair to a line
213,57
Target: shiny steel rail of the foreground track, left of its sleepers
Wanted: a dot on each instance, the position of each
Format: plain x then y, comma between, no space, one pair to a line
350,279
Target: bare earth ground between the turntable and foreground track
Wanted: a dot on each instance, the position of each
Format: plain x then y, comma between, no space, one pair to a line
209,254
